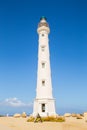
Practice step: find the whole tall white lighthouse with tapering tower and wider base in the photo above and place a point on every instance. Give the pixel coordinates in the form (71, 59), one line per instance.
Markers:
(44, 103)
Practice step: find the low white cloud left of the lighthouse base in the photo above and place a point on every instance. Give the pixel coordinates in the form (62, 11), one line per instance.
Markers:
(14, 102)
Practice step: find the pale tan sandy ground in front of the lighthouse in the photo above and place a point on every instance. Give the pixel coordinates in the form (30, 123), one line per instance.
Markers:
(71, 123)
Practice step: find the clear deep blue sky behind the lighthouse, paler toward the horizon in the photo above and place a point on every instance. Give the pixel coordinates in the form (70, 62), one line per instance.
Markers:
(19, 50)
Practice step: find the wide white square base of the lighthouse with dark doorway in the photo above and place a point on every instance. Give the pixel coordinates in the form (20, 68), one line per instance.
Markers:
(49, 109)
